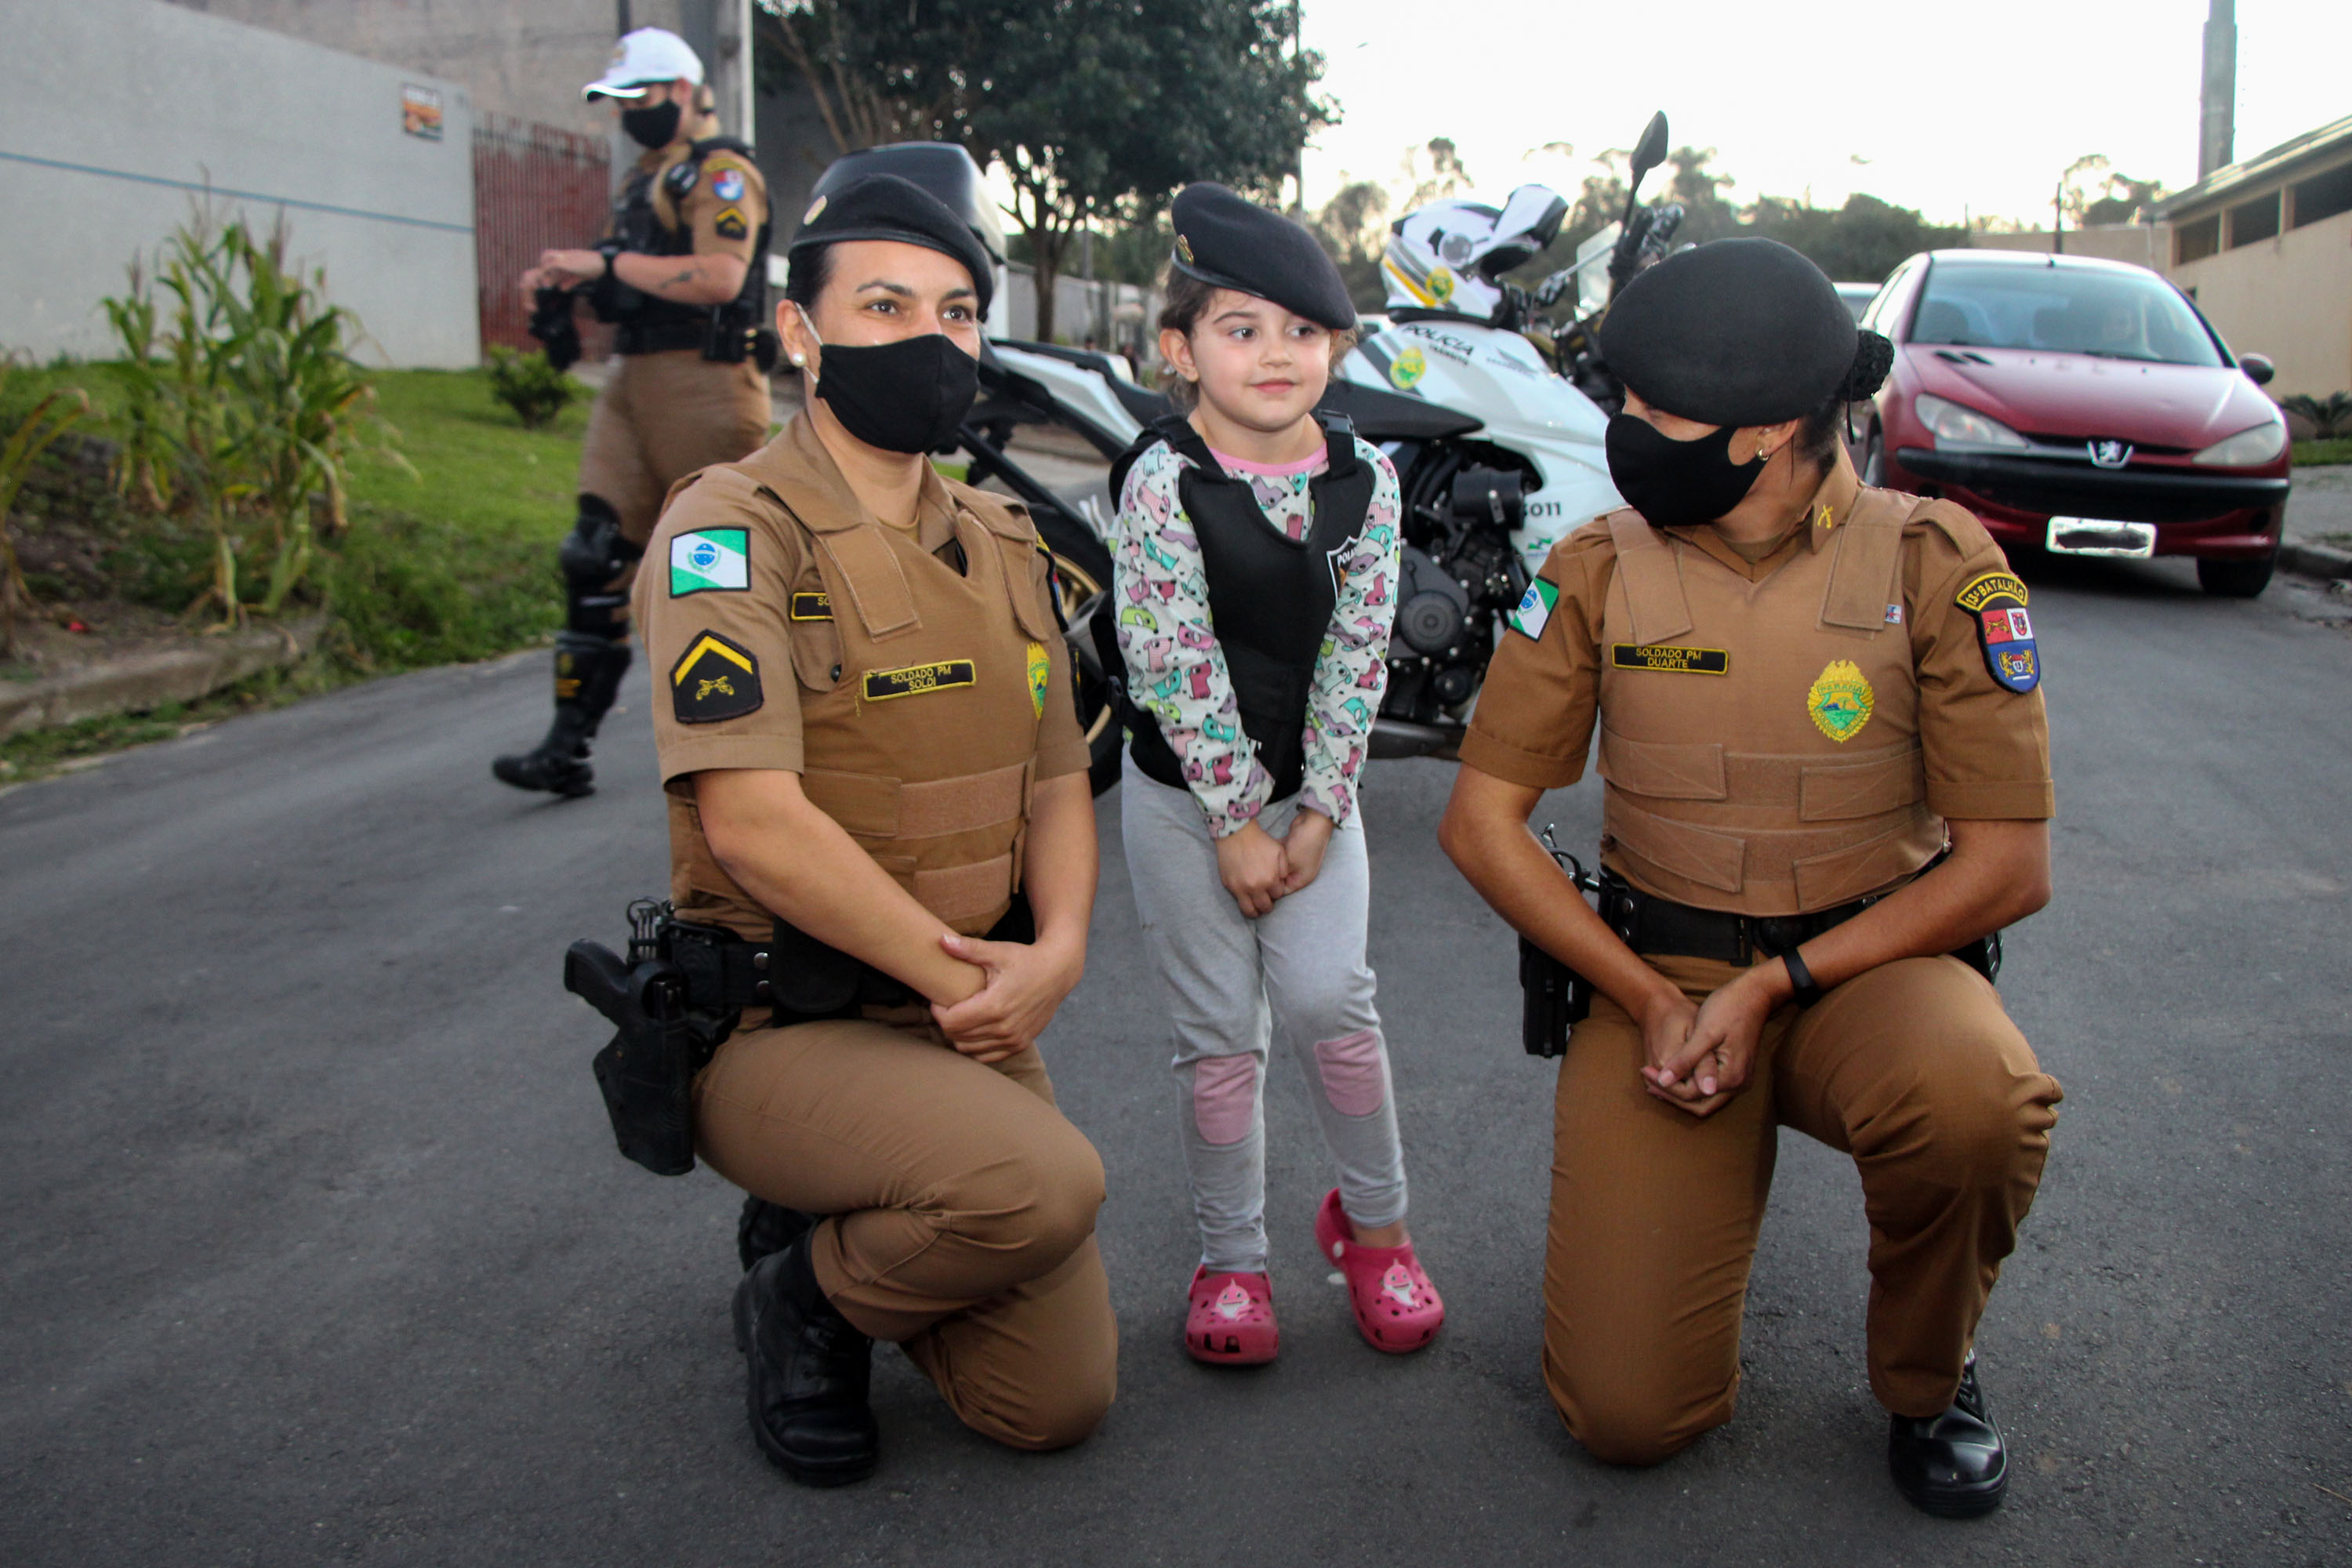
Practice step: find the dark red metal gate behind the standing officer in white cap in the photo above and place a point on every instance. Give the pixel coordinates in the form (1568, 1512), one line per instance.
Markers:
(533, 187)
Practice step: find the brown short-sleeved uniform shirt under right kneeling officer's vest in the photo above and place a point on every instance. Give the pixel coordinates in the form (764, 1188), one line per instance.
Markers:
(1986, 746)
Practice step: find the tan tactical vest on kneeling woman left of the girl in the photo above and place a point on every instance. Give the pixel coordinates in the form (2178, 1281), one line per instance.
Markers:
(921, 697)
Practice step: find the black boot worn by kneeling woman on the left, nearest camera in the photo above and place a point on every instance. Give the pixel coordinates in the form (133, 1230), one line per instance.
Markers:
(808, 1374)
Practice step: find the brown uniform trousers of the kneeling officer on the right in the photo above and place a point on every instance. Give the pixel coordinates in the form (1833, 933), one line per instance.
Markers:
(1911, 1068)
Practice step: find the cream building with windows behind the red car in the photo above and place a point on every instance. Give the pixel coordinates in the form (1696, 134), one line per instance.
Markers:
(2266, 253)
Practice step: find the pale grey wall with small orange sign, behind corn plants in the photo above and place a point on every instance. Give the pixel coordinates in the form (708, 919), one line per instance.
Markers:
(105, 147)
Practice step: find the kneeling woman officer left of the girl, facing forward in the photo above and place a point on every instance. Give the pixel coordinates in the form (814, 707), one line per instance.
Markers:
(867, 730)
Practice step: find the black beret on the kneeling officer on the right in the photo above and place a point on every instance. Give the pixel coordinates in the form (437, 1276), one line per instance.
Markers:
(1737, 333)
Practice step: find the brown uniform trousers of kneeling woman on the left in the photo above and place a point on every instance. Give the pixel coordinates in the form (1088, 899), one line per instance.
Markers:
(965, 1209)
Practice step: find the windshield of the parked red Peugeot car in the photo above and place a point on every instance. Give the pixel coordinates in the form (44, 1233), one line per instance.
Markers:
(2078, 311)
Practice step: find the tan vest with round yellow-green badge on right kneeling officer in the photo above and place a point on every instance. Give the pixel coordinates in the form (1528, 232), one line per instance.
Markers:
(1760, 742)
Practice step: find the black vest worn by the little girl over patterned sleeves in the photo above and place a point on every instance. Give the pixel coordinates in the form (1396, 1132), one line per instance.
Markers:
(1269, 594)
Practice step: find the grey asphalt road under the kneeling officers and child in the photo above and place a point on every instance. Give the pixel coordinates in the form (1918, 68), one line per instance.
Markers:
(319, 1247)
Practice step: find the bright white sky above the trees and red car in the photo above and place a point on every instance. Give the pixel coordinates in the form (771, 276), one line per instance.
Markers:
(1956, 109)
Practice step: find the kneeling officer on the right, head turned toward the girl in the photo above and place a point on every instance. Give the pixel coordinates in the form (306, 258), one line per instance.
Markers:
(1826, 777)
